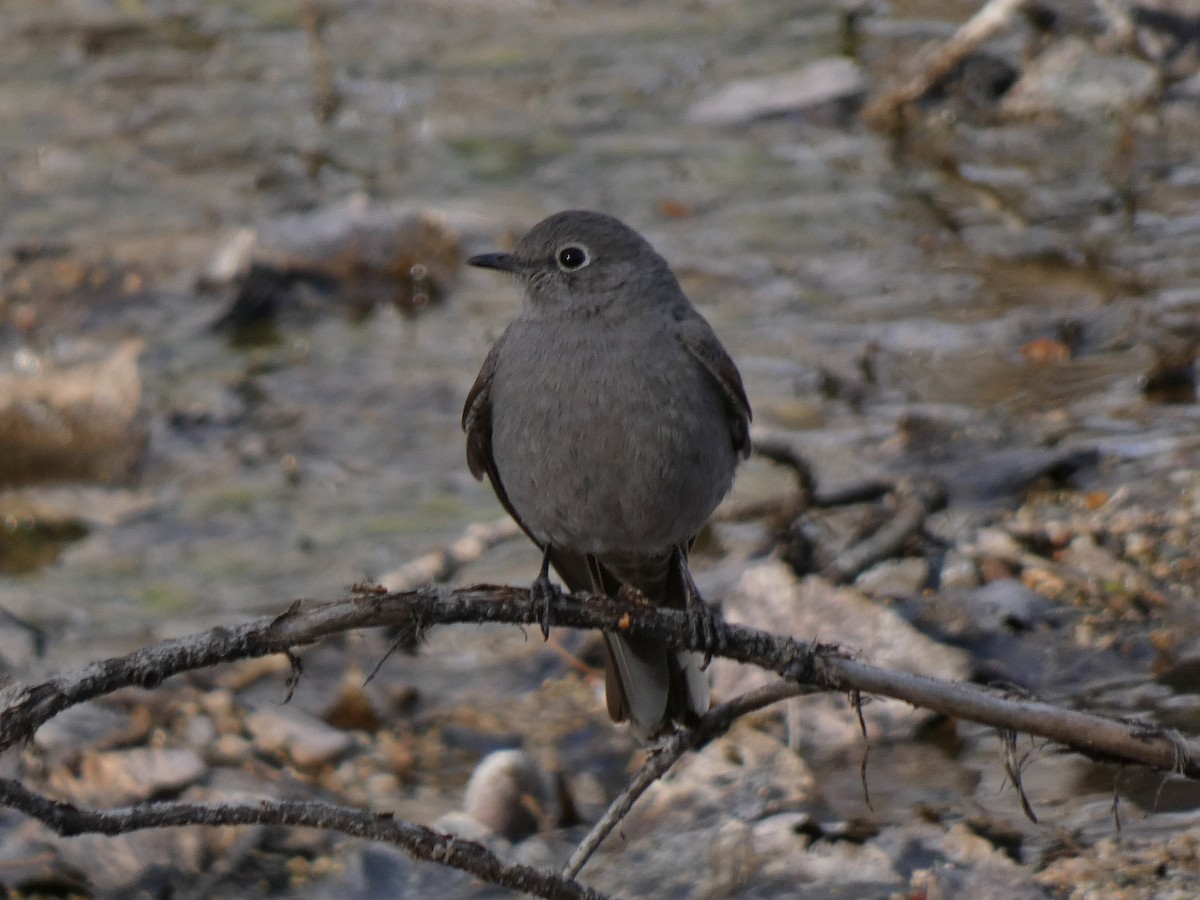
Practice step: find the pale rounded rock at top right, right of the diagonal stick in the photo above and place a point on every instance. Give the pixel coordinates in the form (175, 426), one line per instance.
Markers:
(1075, 81)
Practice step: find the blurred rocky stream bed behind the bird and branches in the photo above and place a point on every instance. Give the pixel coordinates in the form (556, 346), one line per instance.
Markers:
(236, 338)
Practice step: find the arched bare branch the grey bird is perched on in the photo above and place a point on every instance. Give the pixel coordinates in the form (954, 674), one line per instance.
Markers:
(23, 710)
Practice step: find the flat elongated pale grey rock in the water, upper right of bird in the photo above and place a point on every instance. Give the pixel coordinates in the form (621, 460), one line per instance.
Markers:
(821, 82)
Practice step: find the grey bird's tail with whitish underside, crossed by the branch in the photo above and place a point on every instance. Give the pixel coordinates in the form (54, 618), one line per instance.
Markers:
(647, 683)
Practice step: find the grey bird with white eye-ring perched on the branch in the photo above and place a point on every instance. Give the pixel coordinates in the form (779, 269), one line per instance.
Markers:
(610, 421)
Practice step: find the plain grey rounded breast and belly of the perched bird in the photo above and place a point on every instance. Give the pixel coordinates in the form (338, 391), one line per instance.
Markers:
(608, 440)
